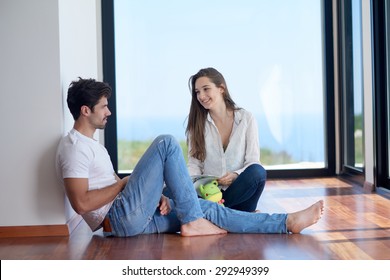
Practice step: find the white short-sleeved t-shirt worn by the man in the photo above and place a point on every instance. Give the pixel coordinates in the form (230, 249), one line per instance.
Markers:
(79, 156)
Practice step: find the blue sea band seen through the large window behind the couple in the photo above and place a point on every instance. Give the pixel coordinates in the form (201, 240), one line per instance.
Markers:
(303, 137)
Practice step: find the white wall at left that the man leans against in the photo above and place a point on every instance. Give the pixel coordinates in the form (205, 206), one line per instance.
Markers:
(44, 44)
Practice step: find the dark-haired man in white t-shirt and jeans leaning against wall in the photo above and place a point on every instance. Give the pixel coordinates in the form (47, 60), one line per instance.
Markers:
(135, 204)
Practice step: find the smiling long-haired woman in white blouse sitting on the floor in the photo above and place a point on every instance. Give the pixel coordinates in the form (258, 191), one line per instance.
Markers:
(223, 141)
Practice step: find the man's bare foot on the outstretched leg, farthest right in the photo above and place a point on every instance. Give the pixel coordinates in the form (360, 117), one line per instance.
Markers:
(300, 220)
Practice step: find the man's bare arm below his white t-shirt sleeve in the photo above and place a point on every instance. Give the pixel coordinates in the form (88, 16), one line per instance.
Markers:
(83, 200)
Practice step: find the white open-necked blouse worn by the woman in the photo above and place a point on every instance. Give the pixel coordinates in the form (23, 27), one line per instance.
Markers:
(243, 148)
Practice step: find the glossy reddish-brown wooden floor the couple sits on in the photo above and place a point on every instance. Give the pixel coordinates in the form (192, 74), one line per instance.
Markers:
(355, 226)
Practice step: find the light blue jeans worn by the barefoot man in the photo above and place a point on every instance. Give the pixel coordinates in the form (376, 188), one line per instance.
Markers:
(135, 211)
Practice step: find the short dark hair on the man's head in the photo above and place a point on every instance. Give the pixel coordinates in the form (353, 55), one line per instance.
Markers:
(86, 92)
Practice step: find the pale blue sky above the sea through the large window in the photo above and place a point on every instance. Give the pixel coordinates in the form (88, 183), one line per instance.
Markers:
(160, 44)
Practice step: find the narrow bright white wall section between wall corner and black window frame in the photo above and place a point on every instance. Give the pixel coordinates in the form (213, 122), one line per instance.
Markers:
(80, 54)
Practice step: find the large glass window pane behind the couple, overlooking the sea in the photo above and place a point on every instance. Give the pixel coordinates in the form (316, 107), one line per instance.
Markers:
(271, 55)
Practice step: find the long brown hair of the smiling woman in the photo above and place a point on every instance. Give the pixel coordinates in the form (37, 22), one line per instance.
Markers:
(198, 114)
